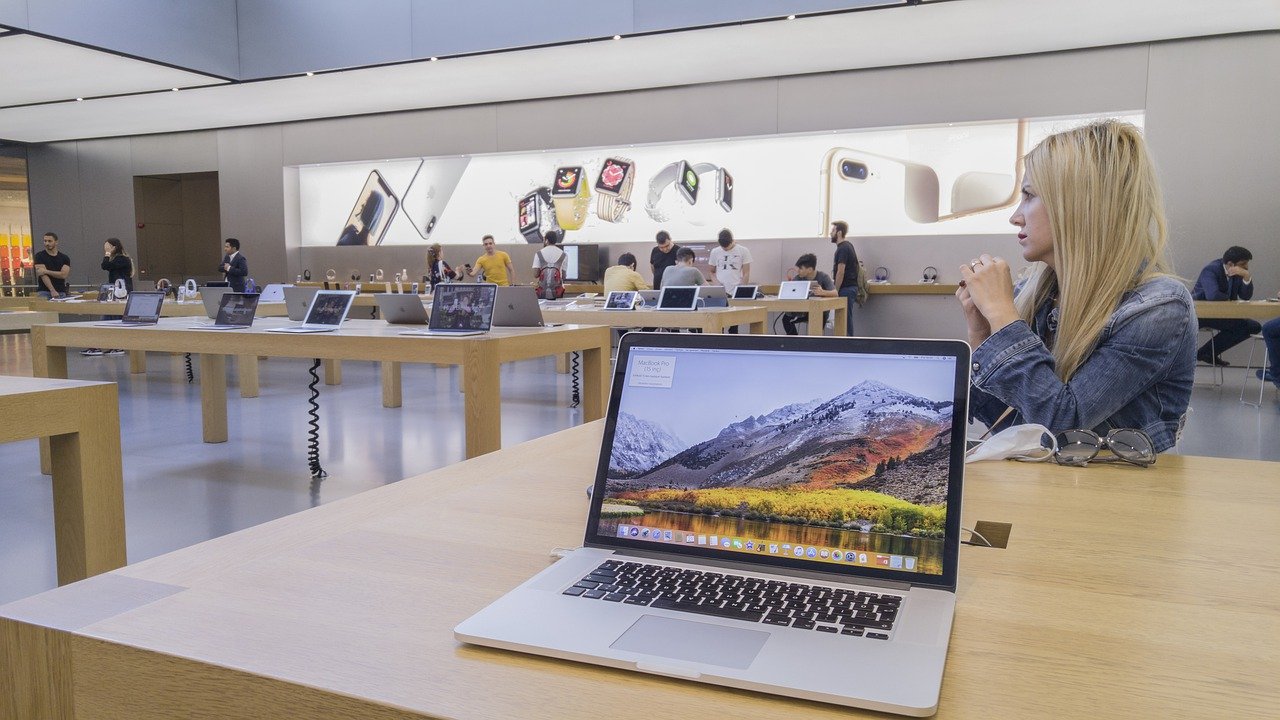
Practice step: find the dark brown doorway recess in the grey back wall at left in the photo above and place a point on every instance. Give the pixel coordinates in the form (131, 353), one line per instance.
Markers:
(180, 227)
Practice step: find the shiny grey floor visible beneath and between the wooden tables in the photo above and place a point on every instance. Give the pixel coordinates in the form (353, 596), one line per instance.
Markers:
(180, 491)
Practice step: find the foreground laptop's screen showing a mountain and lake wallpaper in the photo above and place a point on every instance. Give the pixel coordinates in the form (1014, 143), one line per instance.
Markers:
(840, 457)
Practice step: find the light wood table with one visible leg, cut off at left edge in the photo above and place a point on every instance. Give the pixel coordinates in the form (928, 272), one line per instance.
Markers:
(83, 425)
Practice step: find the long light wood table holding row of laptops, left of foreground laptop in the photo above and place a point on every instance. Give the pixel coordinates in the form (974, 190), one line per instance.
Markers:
(479, 358)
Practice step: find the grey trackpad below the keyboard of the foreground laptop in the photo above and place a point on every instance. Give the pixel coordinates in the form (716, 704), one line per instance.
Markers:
(693, 642)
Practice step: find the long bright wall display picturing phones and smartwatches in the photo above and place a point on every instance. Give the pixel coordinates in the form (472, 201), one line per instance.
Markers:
(932, 180)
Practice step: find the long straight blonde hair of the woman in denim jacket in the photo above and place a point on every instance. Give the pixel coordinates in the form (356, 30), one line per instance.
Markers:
(1108, 218)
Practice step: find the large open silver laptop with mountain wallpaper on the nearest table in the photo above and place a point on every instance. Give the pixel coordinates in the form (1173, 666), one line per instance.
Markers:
(746, 528)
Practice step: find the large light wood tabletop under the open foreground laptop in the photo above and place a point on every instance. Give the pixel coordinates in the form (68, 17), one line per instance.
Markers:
(1124, 593)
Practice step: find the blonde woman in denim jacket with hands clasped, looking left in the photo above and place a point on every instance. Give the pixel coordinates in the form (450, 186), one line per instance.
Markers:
(1101, 336)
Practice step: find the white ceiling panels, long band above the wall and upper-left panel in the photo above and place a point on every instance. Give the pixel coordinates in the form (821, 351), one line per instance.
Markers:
(897, 37)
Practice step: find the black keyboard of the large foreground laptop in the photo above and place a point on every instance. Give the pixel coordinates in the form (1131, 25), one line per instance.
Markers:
(756, 600)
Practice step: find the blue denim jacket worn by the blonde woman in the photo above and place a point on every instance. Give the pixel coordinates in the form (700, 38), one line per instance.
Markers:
(1139, 376)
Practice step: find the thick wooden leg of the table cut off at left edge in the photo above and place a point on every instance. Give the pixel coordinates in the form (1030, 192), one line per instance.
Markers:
(89, 493)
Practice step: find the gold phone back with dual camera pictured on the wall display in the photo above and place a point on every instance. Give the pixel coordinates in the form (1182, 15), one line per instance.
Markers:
(876, 194)
